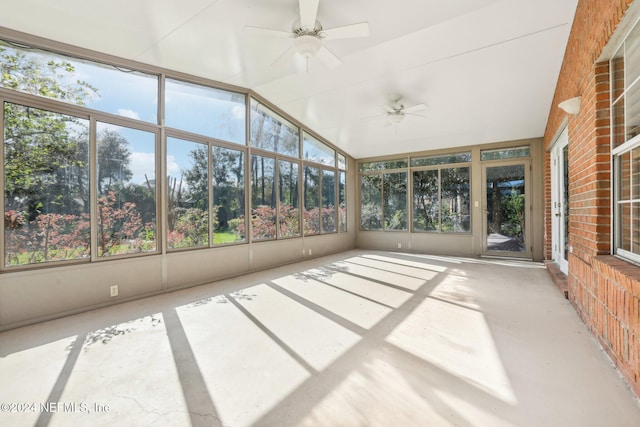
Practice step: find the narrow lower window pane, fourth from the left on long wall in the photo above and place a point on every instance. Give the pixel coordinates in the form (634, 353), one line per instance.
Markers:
(227, 175)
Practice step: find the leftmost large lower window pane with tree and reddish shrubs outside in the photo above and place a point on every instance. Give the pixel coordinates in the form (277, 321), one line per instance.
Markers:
(46, 186)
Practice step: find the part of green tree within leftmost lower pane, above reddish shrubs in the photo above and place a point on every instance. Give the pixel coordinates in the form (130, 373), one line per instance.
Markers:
(46, 164)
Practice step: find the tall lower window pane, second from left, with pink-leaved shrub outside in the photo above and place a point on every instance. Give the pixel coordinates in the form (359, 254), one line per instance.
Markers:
(125, 178)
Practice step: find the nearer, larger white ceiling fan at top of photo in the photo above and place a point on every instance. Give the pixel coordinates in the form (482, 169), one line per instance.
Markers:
(308, 35)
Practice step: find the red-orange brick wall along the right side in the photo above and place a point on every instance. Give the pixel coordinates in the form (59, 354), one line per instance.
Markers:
(603, 289)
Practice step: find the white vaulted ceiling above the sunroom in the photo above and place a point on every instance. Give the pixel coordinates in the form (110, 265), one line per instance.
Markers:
(486, 69)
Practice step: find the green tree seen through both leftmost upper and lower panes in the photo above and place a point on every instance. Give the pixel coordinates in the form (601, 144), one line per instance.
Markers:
(46, 153)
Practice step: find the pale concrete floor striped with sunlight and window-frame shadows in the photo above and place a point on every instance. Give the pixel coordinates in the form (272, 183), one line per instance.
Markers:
(356, 339)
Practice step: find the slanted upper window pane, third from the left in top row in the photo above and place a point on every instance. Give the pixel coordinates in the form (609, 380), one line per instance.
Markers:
(270, 131)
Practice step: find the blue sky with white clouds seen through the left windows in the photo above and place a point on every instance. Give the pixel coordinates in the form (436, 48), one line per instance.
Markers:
(202, 110)
